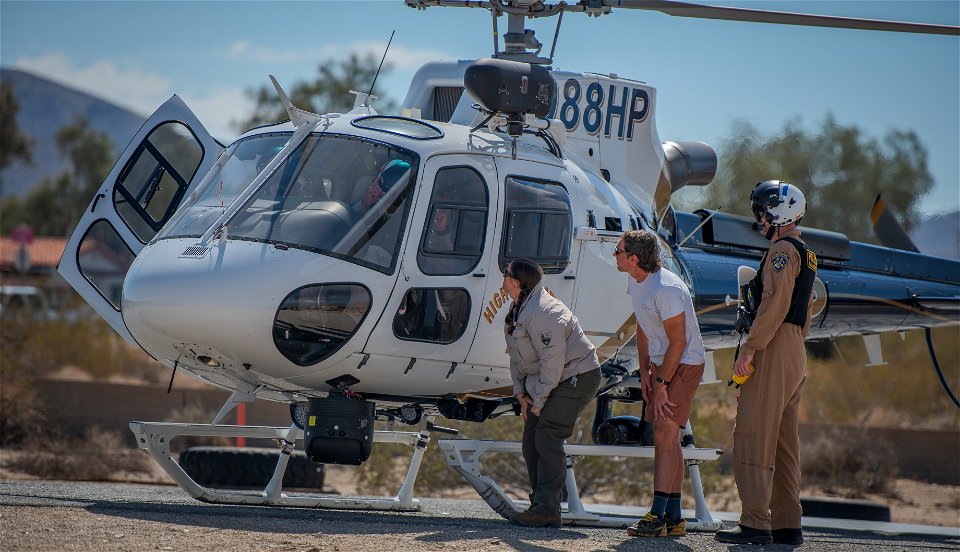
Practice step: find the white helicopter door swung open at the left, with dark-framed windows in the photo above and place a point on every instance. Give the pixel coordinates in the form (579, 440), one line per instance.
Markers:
(160, 166)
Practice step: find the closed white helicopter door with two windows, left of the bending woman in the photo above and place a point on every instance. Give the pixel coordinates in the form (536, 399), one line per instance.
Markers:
(435, 307)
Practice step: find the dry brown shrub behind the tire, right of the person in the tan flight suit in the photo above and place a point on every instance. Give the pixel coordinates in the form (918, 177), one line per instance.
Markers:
(852, 465)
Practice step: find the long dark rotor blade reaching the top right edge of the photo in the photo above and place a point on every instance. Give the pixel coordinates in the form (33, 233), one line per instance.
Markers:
(685, 9)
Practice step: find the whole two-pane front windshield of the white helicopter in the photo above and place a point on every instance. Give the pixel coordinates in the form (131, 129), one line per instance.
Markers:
(319, 199)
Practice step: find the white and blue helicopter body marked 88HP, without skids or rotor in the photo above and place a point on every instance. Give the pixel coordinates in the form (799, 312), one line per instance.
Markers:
(366, 252)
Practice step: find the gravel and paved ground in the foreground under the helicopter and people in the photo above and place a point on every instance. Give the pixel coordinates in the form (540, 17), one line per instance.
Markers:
(61, 516)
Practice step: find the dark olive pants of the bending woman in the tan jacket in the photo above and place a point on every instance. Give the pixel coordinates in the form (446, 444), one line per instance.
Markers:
(543, 438)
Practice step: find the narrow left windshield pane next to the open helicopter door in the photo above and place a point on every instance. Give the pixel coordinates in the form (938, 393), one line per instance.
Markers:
(236, 168)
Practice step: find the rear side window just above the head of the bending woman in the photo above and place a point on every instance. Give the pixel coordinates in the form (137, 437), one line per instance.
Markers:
(538, 224)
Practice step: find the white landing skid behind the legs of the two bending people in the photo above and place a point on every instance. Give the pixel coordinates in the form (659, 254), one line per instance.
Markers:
(463, 455)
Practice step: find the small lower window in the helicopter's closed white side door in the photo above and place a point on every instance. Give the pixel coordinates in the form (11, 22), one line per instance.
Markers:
(430, 314)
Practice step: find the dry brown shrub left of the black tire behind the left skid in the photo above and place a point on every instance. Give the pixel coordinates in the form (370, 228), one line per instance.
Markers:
(97, 456)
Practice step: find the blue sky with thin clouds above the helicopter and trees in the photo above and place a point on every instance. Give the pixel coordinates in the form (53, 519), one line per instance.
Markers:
(707, 73)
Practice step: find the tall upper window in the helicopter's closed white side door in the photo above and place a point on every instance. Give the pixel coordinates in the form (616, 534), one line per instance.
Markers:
(456, 223)
